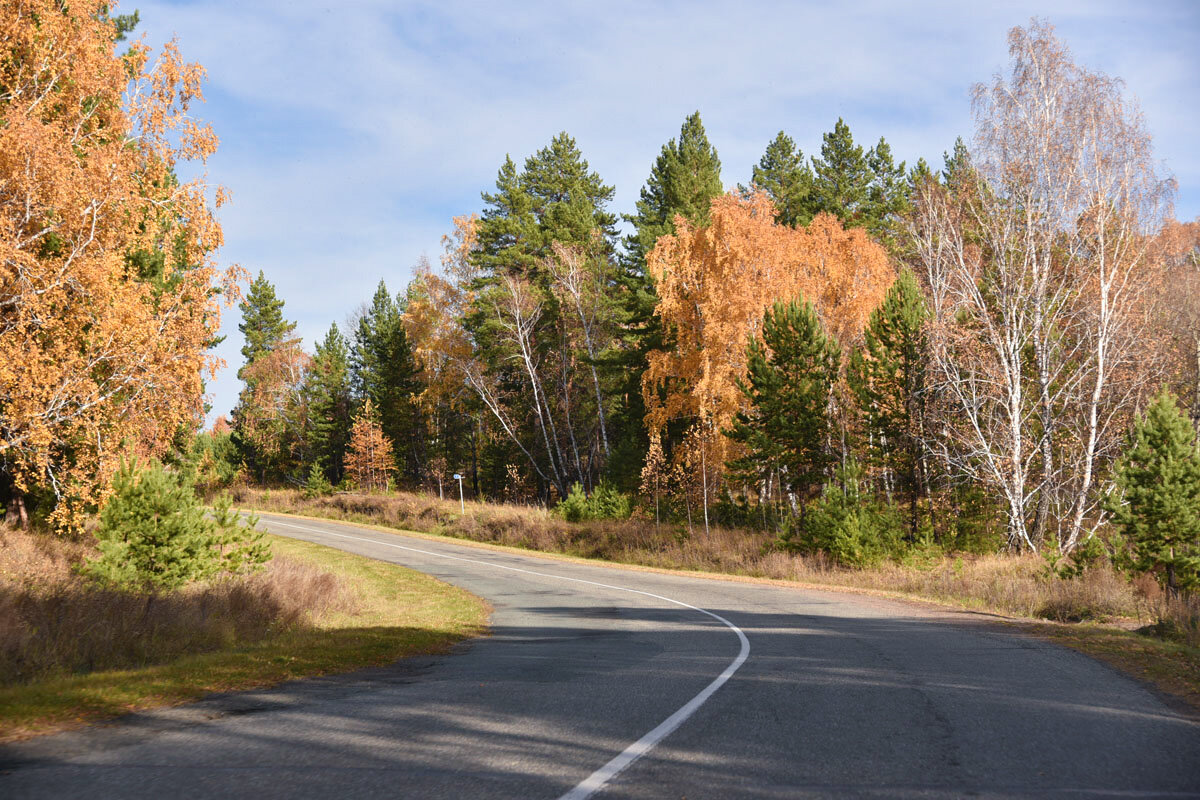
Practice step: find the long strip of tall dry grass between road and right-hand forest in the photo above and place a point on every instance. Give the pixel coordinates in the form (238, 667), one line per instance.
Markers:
(1009, 585)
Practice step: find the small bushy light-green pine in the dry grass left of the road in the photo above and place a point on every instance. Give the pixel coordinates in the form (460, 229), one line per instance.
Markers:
(154, 536)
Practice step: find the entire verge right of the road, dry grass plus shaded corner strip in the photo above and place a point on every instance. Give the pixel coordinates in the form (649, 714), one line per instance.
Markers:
(1013, 587)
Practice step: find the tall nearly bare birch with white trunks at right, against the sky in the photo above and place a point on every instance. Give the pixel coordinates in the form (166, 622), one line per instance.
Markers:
(1036, 262)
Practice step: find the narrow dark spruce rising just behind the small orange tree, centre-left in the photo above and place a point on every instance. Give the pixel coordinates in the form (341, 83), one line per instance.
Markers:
(385, 371)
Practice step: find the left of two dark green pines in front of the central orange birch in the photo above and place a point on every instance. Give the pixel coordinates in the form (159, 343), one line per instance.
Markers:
(790, 377)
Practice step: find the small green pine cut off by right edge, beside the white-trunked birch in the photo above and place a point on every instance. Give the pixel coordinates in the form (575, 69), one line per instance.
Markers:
(1157, 503)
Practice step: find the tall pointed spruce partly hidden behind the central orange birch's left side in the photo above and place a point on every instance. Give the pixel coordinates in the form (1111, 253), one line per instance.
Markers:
(685, 179)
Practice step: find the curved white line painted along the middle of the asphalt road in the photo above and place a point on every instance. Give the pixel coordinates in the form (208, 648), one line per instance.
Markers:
(595, 783)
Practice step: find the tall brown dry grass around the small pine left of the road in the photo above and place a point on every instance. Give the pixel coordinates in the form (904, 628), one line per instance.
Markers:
(53, 623)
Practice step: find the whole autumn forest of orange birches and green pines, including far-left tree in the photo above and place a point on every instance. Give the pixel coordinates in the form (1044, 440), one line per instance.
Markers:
(855, 354)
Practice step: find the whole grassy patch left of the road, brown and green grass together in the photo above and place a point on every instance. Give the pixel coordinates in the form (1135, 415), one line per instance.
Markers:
(74, 652)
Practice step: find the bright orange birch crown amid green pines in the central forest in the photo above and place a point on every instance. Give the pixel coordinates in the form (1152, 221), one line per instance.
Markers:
(715, 285)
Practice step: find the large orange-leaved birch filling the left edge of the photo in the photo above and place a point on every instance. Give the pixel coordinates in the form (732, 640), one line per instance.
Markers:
(109, 288)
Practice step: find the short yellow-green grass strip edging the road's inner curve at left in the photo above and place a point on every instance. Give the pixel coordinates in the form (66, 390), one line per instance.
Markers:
(397, 613)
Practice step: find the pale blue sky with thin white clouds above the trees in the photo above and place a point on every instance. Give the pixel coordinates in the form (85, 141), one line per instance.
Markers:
(351, 133)
